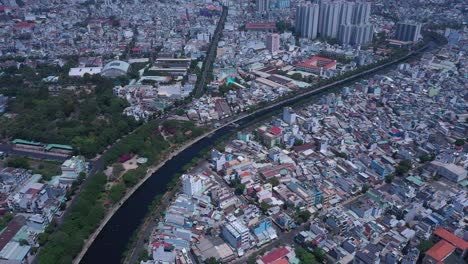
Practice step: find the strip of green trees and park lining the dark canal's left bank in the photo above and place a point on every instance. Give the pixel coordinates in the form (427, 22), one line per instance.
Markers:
(63, 244)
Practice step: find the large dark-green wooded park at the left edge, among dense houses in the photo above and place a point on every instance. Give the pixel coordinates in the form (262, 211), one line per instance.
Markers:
(82, 113)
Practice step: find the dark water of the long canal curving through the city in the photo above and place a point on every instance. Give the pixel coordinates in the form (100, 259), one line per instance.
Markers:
(112, 240)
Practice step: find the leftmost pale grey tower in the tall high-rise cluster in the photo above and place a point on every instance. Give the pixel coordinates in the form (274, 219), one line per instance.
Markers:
(307, 20)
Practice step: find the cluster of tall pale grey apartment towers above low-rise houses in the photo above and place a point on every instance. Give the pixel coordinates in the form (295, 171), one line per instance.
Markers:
(346, 21)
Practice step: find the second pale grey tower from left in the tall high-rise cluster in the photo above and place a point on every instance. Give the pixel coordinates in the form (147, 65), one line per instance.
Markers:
(329, 19)
